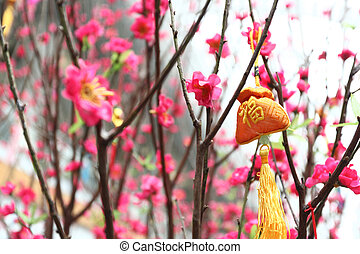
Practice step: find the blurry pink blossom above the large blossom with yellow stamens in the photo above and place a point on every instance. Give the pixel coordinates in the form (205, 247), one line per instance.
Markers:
(91, 30)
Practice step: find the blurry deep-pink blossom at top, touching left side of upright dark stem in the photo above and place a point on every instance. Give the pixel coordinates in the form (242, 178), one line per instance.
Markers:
(144, 28)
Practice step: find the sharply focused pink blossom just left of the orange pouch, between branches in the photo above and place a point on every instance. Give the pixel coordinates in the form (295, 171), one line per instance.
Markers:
(205, 90)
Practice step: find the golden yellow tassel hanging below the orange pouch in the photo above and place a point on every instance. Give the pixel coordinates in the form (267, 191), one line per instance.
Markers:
(271, 217)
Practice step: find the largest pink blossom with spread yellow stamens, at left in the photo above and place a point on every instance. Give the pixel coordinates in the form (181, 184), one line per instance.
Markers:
(89, 93)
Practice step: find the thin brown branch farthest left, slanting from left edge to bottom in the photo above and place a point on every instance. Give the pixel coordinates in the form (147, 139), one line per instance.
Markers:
(20, 109)
